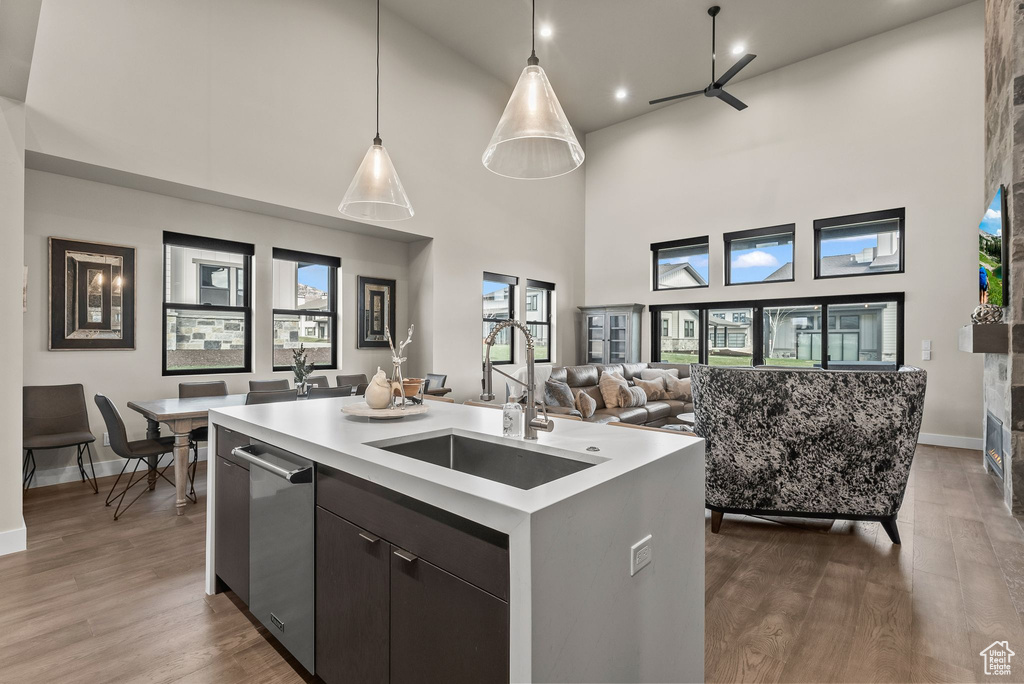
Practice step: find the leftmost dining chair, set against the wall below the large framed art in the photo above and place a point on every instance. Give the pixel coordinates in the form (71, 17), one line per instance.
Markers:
(56, 417)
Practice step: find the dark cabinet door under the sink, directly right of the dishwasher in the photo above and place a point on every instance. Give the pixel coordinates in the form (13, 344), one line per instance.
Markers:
(353, 598)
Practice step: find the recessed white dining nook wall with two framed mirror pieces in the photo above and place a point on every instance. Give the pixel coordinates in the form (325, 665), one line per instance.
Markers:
(64, 207)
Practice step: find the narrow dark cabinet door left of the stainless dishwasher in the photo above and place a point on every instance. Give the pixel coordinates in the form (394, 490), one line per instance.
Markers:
(232, 527)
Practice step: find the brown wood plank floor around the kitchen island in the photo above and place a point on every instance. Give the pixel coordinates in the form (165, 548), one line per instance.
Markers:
(94, 601)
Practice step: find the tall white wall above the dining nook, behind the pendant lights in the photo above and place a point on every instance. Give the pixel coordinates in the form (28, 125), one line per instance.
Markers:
(274, 101)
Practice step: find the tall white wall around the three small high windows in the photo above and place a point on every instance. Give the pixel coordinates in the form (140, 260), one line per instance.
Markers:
(892, 121)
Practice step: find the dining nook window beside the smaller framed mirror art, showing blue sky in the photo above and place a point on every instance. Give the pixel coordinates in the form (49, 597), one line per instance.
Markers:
(306, 309)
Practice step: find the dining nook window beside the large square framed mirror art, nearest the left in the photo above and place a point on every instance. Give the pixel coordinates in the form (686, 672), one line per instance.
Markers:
(207, 306)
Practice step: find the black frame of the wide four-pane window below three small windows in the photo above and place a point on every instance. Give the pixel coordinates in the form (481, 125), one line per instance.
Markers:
(757, 325)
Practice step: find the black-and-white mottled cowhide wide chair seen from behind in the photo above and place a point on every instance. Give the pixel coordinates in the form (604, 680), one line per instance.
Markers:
(822, 444)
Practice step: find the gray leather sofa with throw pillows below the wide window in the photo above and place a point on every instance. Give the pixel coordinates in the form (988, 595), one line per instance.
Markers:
(585, 378)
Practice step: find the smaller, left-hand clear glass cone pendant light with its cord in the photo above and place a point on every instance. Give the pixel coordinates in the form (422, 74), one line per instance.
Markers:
(376, 193)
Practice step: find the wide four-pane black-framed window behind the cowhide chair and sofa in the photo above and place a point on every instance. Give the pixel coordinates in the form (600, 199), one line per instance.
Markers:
(861, 332)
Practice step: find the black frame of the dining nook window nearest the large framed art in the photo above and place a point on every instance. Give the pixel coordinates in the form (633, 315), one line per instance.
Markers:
(245, 250)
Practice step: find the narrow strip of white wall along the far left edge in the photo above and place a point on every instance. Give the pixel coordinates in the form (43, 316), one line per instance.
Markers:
(12, 279)
